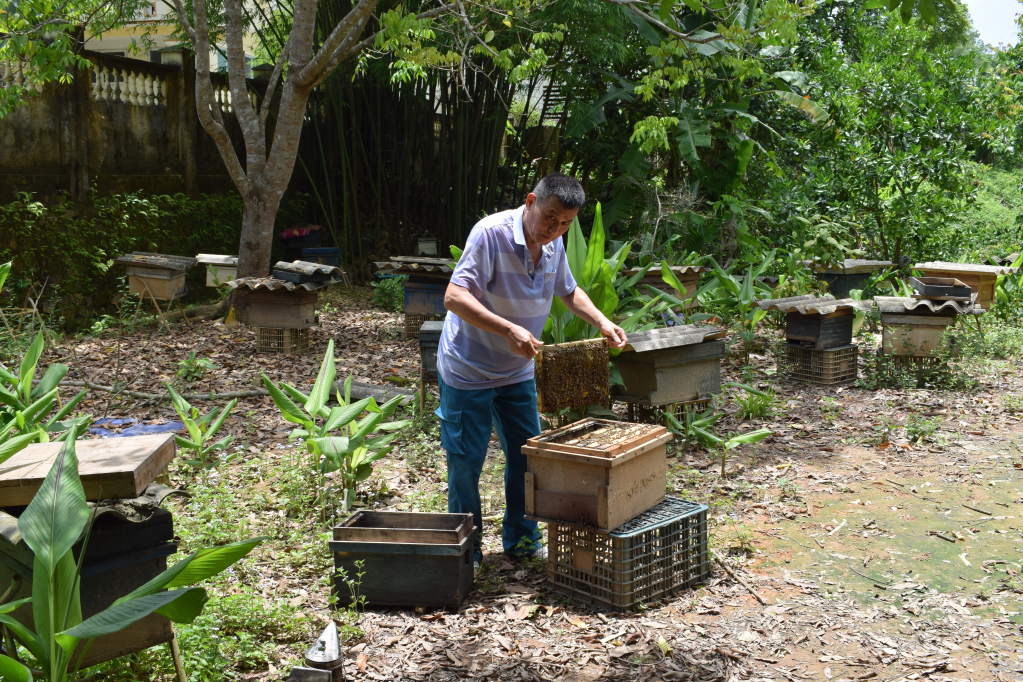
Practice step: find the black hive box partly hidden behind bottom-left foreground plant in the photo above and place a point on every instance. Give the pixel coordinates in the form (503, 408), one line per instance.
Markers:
(121, 557)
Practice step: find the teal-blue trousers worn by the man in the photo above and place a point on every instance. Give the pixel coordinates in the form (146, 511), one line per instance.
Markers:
(466, 425)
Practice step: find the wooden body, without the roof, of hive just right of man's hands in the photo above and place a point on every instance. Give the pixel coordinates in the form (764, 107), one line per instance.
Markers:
(665, 377)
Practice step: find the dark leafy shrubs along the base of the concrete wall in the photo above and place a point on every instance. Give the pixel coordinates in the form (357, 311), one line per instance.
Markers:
(72, 247)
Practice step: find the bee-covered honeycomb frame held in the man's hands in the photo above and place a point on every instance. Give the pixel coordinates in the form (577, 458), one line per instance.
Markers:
(573, 376)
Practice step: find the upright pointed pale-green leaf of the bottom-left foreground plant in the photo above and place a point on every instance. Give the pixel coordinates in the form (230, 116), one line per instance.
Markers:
(54, 521)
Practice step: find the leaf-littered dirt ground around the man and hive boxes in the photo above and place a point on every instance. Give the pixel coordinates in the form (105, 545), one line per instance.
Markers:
(880, 553)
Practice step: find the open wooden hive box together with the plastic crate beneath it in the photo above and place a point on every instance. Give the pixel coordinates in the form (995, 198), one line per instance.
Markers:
(614, 539)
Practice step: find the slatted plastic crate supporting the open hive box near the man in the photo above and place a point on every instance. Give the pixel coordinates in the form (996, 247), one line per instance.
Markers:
(656, 555)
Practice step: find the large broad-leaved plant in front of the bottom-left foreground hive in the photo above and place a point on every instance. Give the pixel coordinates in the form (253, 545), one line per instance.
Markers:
(52, 525)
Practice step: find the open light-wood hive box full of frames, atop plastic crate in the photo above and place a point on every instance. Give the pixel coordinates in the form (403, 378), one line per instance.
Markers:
(597, 473)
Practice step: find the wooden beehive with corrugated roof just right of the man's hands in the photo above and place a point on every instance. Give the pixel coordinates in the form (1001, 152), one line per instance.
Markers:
(670, 367)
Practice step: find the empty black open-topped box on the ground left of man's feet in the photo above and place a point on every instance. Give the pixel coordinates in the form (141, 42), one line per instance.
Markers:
(411, 560)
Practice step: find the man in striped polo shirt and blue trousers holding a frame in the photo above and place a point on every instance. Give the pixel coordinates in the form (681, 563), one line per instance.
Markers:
(499, 301)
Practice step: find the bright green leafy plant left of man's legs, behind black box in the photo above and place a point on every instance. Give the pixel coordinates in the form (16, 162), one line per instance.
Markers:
(351, 454)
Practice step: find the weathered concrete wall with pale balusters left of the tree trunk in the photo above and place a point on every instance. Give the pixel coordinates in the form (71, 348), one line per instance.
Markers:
(104, 131)
